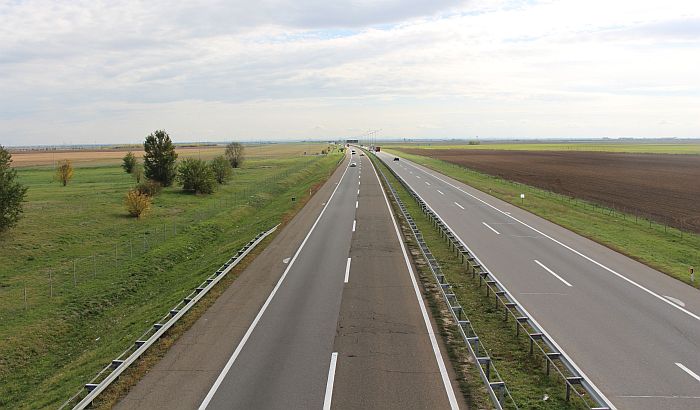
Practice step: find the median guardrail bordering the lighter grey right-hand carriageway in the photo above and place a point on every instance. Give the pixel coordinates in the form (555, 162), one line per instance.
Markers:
(538, 339)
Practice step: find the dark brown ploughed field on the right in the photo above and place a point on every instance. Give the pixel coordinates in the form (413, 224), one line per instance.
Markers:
(662, 187)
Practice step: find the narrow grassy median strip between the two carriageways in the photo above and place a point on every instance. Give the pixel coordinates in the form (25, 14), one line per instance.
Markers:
(523, 373)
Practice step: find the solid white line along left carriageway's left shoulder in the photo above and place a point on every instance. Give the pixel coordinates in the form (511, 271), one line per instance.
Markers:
(252, 326)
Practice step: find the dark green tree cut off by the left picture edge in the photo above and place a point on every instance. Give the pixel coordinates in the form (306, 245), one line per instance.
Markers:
(12, 193)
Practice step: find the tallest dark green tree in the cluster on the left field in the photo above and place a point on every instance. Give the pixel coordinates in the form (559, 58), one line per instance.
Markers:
(159, 160)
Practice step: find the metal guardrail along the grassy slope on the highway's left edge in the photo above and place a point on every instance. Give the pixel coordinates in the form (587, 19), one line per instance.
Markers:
(111, 372)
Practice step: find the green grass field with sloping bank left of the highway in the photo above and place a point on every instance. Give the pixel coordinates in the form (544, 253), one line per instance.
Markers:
(78, 317)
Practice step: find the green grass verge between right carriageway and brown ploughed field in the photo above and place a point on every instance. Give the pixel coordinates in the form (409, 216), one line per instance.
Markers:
(665, 249)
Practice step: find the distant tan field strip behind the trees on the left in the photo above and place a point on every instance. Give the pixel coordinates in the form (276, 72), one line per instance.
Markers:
(81, 158)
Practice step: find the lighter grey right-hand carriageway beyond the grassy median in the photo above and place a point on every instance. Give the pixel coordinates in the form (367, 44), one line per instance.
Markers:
(633, 331)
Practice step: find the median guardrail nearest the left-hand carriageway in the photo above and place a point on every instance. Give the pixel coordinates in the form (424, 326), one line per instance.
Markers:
(493, 382)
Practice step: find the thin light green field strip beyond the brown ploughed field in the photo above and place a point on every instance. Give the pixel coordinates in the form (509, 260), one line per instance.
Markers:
(636, 147)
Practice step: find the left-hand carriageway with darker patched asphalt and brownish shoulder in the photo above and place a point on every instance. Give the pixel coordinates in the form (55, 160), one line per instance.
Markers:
(336, 320)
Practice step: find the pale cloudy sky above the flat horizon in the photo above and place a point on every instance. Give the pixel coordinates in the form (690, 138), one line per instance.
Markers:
(83, 72)
